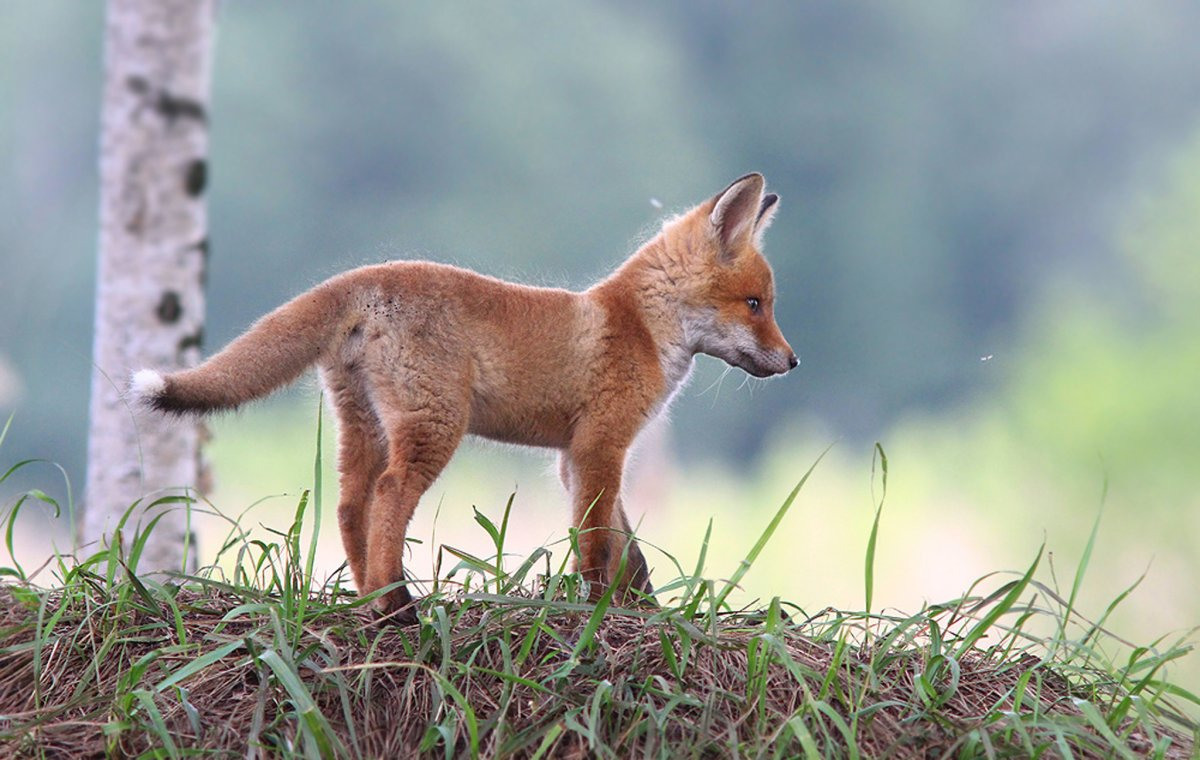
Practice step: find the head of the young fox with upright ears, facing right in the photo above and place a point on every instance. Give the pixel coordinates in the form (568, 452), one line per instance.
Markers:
(729, 301)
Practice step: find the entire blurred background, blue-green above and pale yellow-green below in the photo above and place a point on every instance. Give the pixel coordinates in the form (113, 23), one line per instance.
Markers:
(986, 259)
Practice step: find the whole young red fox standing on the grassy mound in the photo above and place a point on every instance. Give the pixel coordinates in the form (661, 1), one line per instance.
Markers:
(415, 356)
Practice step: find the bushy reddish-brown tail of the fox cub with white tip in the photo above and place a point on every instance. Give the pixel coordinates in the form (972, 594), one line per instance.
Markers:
(272, 354)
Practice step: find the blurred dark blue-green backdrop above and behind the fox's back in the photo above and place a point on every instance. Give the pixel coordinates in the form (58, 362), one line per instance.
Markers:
(943, 166)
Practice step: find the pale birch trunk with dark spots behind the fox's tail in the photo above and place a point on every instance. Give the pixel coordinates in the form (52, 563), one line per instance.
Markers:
(153, 252)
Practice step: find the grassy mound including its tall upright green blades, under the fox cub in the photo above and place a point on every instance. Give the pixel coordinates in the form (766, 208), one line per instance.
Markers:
(266, 660)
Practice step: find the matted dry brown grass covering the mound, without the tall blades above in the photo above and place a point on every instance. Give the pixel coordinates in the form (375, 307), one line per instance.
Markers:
(509, 679)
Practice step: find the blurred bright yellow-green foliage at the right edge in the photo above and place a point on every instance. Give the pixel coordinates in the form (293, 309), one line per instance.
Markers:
(1117, 376)
